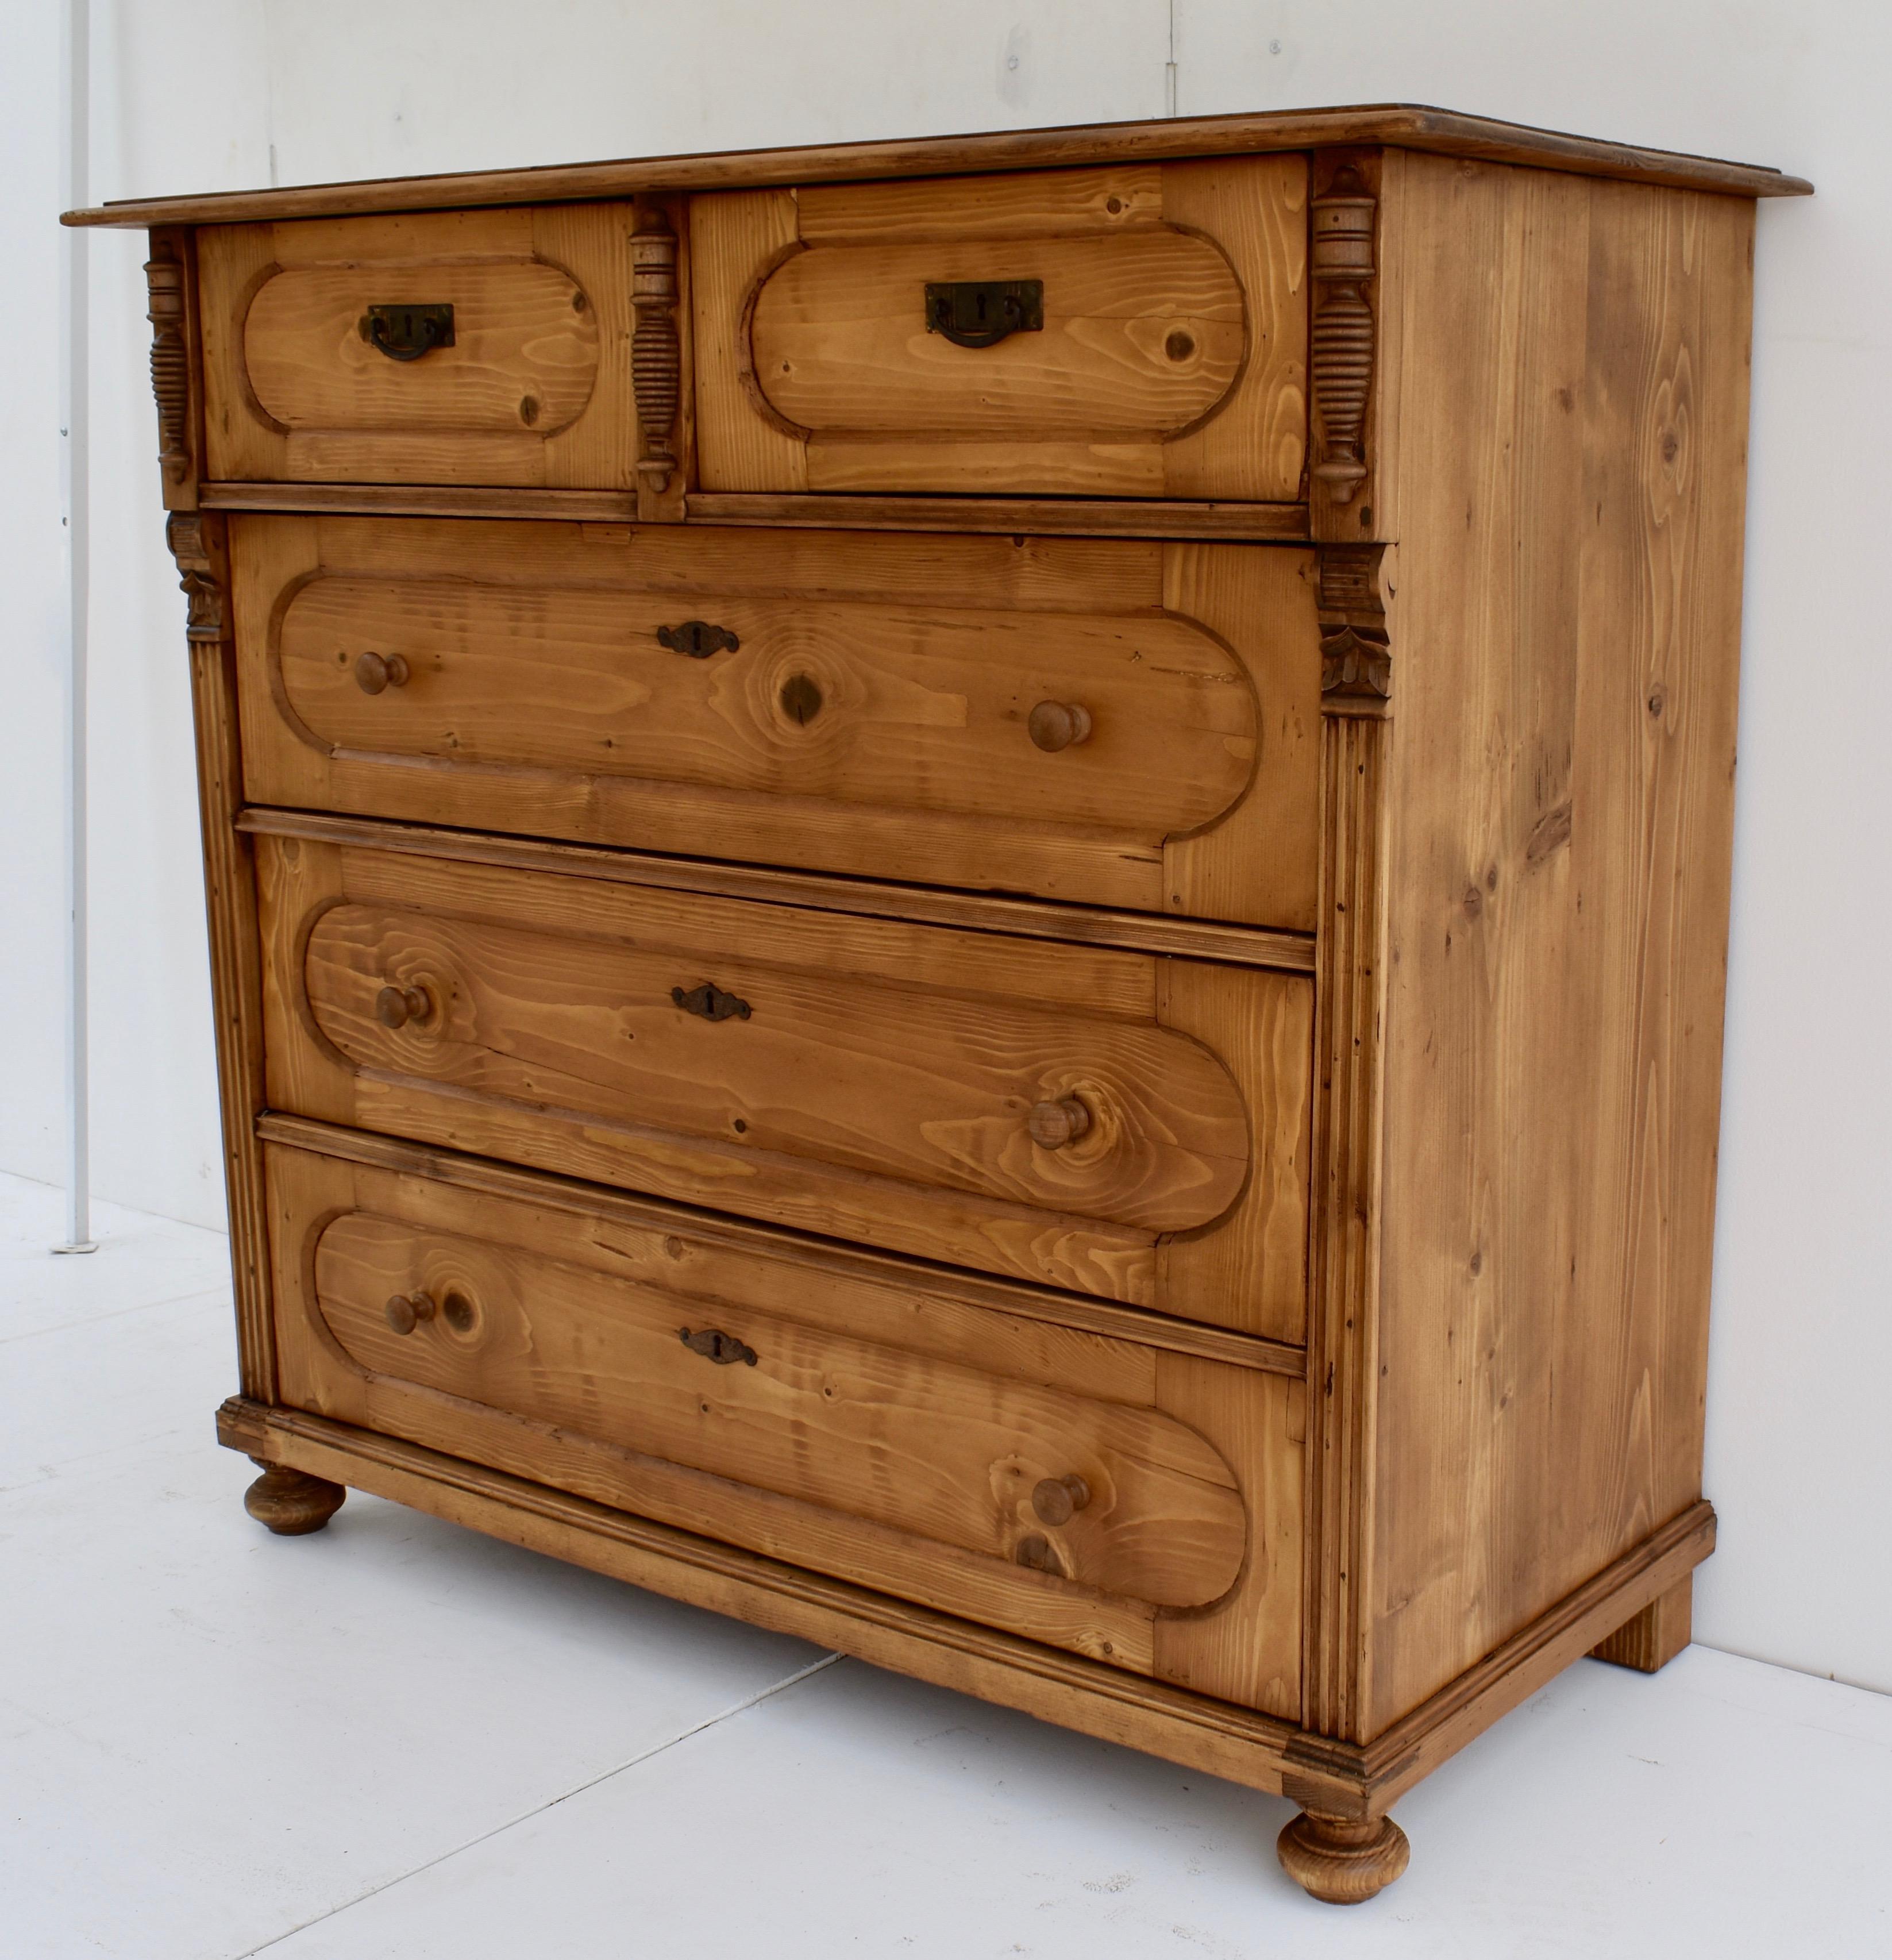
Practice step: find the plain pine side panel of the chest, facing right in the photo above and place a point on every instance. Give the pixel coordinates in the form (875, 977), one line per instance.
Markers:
(1573, 411)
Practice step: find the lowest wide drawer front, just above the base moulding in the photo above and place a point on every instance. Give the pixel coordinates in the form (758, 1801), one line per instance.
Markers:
(834, 1410)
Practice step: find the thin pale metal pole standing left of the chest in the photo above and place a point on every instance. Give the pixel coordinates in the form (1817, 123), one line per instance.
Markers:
(74, 456)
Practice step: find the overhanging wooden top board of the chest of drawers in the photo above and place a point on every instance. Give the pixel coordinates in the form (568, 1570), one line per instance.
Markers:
(1403, 126)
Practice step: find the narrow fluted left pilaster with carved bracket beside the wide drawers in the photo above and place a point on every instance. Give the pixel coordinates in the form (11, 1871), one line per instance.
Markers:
(230, 901)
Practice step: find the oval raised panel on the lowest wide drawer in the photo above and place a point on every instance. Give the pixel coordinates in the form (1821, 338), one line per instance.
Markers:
(909, 1442)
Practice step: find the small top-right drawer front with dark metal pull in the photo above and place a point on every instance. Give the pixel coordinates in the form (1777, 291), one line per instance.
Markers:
(1132, 332)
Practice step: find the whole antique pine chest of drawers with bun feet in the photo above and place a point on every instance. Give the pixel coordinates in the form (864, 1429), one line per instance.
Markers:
(971, 897)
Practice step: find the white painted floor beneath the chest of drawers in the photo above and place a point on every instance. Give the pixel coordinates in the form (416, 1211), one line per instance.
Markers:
(399, 1741)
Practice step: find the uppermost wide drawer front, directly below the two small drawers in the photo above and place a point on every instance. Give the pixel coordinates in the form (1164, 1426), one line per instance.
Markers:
(1111, 722)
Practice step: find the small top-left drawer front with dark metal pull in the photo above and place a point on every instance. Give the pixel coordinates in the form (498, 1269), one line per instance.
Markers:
(321, 371)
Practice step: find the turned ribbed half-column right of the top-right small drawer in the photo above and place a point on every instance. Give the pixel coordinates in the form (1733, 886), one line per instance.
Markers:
(1342, 336)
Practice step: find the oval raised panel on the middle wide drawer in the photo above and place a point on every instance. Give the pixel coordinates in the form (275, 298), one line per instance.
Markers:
(899, 1081)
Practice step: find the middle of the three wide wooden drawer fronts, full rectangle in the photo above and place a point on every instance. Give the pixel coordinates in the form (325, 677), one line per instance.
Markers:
(1107, 1122)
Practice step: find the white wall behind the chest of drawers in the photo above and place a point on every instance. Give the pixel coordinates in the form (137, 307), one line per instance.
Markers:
(201, 95)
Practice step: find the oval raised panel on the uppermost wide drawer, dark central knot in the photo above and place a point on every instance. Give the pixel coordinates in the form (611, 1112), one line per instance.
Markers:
(856, 703)
